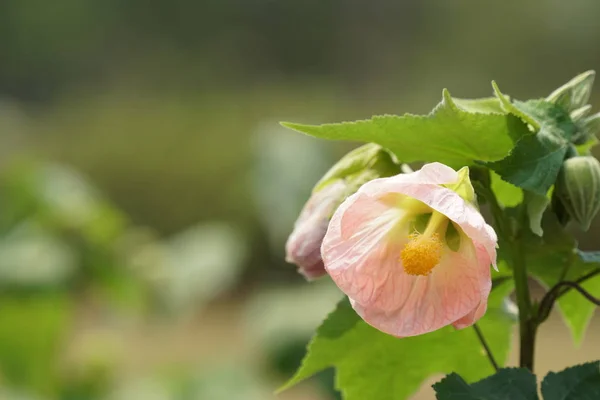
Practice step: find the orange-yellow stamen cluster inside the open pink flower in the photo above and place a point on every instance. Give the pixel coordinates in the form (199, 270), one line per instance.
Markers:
(421, 254)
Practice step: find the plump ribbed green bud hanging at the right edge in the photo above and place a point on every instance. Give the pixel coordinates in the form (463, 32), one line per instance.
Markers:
(578, 188)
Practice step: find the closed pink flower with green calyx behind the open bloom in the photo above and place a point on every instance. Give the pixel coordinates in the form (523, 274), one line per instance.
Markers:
(362, 165)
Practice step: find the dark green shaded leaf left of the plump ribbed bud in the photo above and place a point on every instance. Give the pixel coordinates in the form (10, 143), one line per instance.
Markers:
(534, 162)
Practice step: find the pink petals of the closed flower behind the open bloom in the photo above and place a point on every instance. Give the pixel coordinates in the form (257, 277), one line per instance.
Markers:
(303, 247)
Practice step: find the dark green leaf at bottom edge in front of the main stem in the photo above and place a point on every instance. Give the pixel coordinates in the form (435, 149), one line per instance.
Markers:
(508, 383)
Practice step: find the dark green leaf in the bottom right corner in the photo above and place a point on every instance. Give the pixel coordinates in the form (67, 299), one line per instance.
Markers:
(581, 382)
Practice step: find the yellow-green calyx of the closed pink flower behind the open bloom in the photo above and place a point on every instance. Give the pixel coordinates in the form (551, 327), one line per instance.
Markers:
(360, 166)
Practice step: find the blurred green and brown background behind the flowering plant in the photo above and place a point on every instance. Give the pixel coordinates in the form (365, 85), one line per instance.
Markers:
(146, 189)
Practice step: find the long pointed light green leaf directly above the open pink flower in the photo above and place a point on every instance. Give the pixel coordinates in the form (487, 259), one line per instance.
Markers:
(453, 133)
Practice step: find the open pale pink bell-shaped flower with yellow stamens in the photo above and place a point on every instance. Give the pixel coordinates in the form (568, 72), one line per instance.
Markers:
(411, 254)
